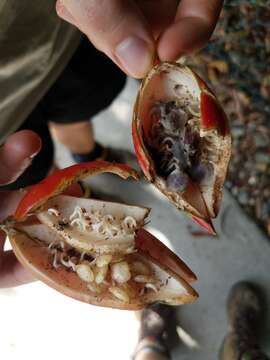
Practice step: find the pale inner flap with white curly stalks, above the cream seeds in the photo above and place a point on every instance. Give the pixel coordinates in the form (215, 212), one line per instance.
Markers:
(93, 225)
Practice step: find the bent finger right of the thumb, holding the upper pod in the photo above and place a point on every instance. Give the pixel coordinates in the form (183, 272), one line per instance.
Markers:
(194, 23)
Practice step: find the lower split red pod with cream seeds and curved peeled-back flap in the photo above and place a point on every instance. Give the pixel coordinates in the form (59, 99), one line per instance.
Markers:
(92, 250)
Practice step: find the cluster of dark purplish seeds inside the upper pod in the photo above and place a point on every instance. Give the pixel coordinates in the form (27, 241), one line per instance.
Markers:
(176, 143)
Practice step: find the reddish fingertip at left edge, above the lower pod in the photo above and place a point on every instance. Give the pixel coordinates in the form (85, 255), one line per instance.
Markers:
(17, 154)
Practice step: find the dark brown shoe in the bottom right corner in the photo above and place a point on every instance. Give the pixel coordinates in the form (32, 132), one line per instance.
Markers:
(244, 311)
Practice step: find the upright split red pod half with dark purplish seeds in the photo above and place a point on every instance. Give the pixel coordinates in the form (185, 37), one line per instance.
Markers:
(182, 140)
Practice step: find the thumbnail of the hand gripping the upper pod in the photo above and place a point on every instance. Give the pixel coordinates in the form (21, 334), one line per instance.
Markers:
(135, 56)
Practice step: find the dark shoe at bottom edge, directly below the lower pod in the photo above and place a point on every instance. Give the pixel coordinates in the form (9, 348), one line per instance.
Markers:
(157, 330)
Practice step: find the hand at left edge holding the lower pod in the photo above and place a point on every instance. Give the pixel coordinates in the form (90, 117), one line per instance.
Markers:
(15, 156)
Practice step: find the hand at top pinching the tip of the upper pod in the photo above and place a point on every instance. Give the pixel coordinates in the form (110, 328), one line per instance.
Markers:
(133, 32)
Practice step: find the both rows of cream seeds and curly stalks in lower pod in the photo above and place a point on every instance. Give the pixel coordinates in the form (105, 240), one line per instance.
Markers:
(121, 275)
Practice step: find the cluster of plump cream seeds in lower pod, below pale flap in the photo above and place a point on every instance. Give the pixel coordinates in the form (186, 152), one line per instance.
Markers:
(124, 279)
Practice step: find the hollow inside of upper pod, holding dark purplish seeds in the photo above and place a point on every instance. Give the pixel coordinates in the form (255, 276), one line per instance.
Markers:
(169, 110)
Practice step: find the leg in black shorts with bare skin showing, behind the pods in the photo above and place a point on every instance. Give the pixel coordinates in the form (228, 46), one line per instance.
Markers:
(88, 85)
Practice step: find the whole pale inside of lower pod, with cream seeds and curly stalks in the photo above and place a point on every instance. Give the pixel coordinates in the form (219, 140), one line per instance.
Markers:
(95, 240)
